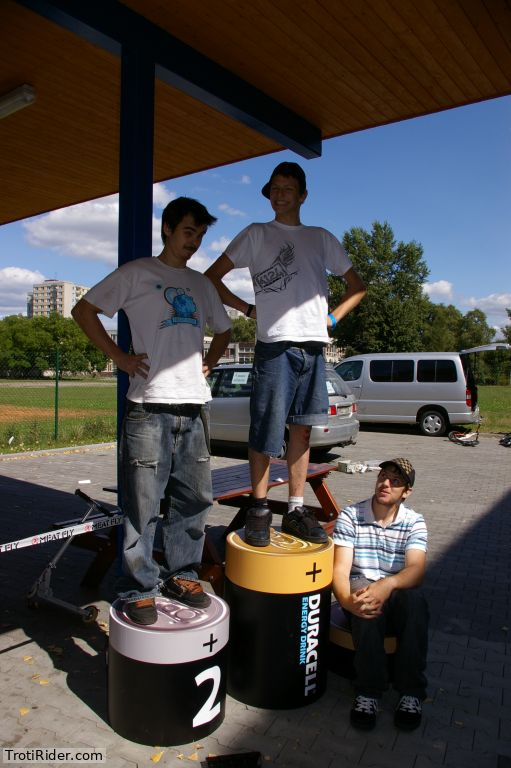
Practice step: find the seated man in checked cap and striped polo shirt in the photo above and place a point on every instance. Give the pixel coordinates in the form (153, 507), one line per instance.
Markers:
(380, 559)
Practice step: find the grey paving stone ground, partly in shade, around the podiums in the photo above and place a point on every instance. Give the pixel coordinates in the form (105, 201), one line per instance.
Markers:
(52, 666)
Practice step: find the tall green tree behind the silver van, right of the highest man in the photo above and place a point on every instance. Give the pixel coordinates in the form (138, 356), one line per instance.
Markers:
(391, 316)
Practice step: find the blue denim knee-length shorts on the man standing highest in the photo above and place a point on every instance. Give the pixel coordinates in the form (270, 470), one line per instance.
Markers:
(289, 387)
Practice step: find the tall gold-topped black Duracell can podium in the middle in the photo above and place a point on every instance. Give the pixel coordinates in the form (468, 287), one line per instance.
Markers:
(279, 598)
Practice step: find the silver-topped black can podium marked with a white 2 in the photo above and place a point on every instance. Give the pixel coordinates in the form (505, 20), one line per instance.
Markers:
(167, 681)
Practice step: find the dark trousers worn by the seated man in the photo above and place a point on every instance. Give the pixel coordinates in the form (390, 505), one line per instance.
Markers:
(406, 615)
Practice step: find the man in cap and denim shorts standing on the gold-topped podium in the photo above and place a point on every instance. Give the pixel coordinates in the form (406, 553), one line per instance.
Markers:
(288, 263)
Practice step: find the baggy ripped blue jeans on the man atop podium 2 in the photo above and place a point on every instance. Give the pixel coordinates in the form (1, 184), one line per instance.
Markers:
(164, 455)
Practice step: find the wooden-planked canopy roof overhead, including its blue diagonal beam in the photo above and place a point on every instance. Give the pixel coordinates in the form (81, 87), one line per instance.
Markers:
(253, 77)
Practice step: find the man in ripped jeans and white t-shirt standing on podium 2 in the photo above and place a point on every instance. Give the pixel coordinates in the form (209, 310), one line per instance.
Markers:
(164, 450)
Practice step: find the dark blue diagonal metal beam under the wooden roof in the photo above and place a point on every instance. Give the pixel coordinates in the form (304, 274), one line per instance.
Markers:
(110, 25)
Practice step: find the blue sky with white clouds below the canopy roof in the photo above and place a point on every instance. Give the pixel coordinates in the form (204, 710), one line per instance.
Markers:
(442, 180)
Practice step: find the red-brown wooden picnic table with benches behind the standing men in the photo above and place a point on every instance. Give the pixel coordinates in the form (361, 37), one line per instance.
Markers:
(231, 487)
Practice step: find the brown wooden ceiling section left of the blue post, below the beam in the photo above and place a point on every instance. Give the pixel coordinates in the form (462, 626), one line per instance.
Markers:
(54, 150)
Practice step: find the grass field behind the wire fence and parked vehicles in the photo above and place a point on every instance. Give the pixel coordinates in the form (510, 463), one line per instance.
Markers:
(87, 413)
